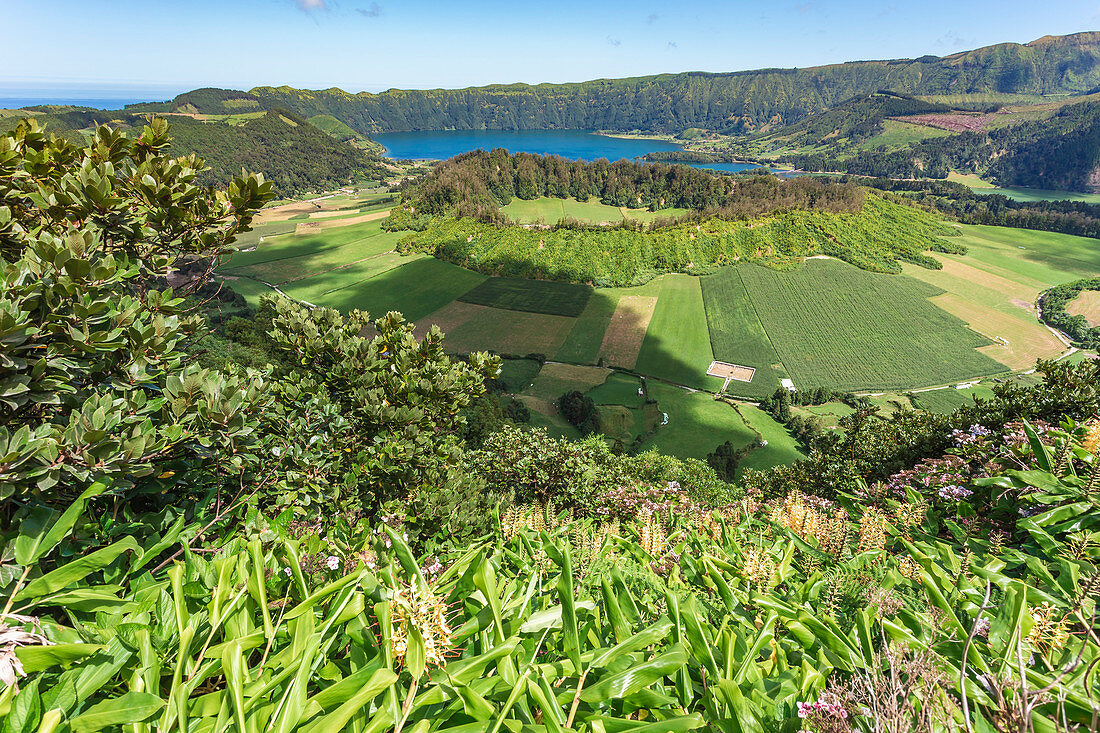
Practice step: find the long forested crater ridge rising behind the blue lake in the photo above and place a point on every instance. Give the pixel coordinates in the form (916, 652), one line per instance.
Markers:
(732, 103)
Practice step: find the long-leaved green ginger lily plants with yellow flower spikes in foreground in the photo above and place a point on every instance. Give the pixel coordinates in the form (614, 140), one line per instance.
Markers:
(865, 614)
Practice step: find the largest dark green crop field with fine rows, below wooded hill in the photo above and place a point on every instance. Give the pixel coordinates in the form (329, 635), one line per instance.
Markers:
(870, 331)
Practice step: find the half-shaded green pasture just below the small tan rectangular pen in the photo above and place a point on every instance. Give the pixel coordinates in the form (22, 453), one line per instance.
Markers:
(698, 423)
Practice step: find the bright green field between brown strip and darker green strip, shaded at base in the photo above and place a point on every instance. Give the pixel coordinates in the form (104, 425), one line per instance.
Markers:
(678, 345)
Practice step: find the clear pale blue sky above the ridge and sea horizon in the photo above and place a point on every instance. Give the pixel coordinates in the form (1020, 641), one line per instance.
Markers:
(377, 45)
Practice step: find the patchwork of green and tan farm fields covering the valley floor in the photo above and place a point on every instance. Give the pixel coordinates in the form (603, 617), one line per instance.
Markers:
(823, 324)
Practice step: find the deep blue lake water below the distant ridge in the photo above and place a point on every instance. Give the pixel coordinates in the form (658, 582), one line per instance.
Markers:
(575, 145)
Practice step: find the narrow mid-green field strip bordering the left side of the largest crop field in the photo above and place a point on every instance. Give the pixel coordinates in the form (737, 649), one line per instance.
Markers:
(738, 335)
